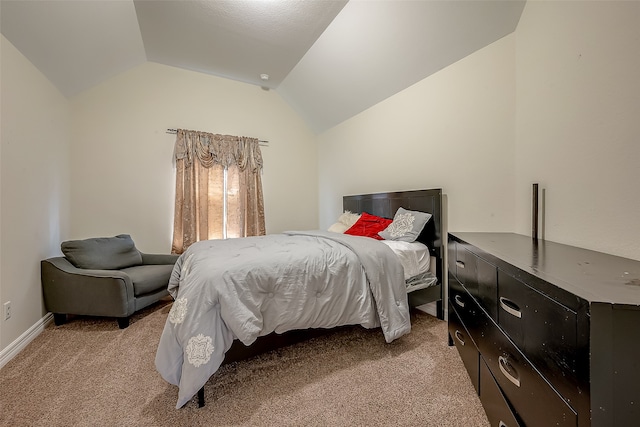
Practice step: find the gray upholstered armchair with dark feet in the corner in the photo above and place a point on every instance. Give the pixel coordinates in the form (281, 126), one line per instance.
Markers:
(105, 276)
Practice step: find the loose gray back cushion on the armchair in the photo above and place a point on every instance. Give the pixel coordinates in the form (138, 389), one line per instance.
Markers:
(102, 253)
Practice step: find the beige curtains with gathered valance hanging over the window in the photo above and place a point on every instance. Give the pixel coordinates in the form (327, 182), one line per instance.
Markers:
(201, 160)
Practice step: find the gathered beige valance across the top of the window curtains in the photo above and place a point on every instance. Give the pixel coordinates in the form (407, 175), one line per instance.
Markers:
(225, 150)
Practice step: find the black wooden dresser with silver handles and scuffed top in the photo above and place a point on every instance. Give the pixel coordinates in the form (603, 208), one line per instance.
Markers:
(549, 333)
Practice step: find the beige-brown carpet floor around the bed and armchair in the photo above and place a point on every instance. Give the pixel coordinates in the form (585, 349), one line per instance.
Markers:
(90, 373)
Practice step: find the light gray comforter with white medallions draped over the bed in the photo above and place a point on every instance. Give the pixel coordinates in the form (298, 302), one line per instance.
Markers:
(249, 287)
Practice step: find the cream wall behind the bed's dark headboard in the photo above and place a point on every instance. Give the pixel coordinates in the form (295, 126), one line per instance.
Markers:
(453, 130)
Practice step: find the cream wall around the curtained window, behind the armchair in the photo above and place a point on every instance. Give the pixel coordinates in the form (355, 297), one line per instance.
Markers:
(123, 178)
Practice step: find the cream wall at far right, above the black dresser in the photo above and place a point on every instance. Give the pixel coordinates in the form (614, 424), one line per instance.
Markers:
(578, 122)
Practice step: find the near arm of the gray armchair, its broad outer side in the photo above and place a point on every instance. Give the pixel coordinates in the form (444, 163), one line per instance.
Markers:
(71, 290)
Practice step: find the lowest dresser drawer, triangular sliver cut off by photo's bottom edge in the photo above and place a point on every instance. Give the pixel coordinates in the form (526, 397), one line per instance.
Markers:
(493, 401)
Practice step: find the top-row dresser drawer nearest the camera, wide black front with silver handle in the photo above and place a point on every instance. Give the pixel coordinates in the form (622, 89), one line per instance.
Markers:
(543, 329)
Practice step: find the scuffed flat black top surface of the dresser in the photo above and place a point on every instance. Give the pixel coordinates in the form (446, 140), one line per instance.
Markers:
(593, 276)
